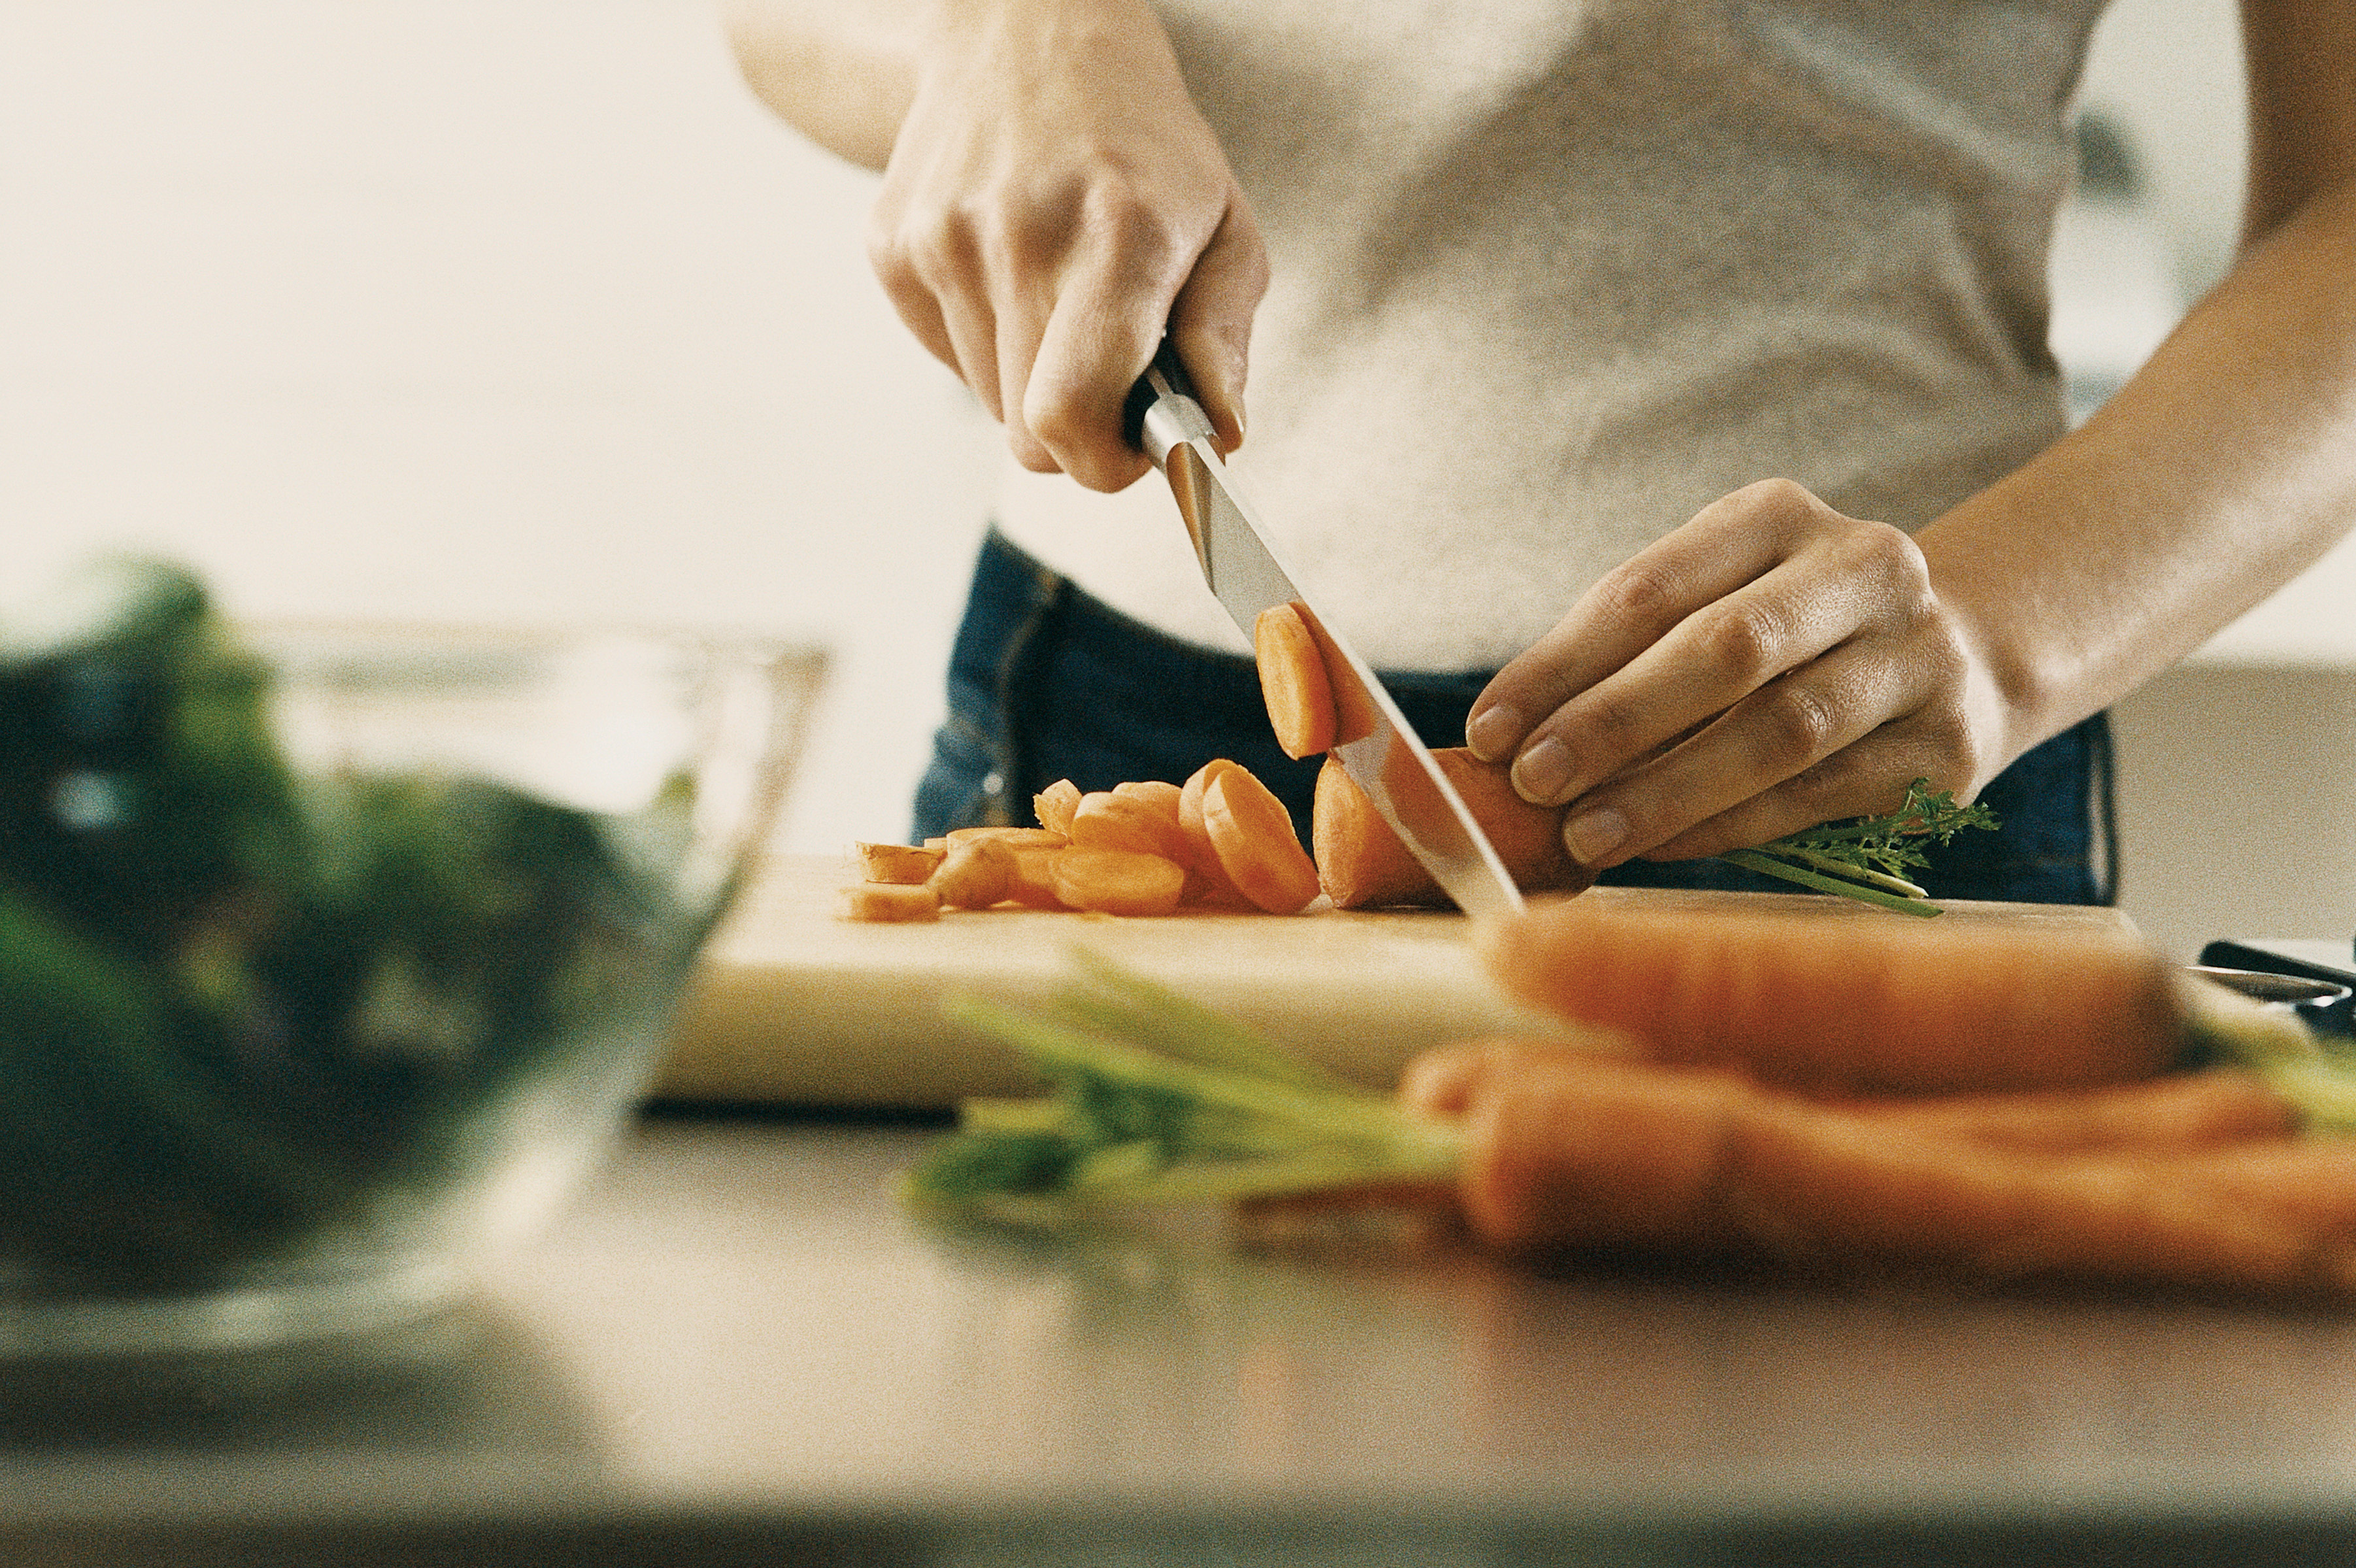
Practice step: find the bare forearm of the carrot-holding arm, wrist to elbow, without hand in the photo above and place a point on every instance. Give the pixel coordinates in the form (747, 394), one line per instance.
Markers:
(2221, 472)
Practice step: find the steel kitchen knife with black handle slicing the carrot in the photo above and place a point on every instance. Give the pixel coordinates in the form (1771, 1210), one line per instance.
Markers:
(1379, 752)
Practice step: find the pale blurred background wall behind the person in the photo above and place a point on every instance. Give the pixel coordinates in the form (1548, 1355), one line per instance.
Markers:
(524, 310)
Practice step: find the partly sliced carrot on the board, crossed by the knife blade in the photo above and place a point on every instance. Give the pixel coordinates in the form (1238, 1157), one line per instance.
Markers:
(1363, 863)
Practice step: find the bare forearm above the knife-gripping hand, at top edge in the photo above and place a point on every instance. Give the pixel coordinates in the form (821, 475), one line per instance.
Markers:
(840, 72)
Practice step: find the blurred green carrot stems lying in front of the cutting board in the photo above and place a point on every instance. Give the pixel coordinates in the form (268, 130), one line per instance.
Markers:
(1158, 1101)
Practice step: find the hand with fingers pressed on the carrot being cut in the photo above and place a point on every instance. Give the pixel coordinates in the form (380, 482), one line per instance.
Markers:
(1766, 667)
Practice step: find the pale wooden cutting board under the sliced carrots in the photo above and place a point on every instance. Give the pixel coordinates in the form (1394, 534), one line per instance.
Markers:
(800, 1006)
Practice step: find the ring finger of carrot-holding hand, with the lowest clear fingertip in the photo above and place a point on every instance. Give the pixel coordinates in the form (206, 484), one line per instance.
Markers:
(1747, 766)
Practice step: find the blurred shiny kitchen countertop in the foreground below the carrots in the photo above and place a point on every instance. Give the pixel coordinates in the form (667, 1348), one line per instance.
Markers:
(741, 1350)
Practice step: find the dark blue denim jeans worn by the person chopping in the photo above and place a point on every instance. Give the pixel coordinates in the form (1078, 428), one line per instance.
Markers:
(1052, 684)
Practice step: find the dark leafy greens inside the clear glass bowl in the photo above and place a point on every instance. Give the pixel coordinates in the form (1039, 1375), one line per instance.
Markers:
(244, 1011)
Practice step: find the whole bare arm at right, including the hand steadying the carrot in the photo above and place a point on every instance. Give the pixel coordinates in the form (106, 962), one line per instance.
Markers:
(1778, 665)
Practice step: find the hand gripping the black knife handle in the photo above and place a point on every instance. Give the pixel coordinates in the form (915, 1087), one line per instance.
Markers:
(1052, 204)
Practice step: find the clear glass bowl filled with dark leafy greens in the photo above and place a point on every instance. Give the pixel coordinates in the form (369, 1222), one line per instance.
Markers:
(333, 957)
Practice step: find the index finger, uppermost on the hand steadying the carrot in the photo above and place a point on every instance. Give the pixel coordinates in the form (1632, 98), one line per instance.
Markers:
(1728, 545)
